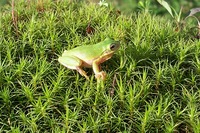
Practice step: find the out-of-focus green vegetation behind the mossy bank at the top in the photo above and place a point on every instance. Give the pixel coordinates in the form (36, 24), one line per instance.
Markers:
(128, 6)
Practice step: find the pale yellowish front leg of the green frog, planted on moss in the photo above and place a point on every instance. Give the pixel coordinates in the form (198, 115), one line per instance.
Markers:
(98, 74)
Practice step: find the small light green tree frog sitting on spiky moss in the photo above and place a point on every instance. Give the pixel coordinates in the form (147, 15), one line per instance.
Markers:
(90, 56)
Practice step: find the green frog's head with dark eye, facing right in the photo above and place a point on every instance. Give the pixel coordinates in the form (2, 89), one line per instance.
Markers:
(111, 45)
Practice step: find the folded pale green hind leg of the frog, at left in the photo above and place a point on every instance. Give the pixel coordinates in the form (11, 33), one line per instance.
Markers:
(73, 62)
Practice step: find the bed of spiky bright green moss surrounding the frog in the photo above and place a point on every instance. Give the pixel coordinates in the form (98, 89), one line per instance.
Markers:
(152, 84)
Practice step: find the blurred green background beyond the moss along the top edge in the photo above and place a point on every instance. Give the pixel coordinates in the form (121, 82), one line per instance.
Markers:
(132, 5)
